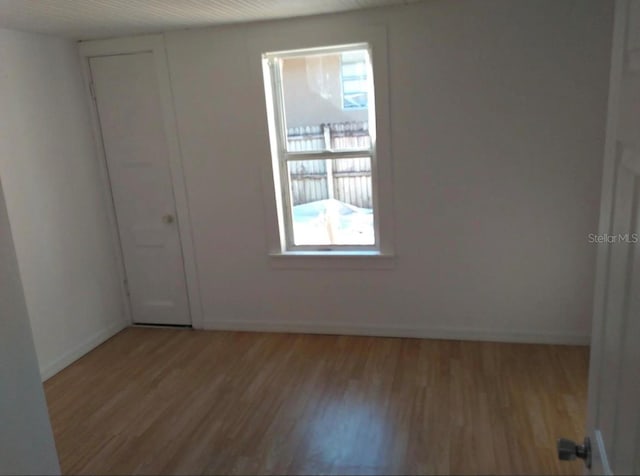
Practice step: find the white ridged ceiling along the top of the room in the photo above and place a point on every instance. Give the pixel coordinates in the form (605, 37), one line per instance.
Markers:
(91, 19)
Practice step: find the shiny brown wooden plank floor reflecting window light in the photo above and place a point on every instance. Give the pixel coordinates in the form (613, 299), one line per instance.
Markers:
(155, 401)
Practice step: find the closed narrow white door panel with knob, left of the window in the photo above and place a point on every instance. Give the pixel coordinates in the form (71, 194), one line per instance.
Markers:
(133, 132)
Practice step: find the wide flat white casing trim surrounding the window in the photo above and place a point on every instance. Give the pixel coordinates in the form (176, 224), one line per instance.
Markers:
(289, 37)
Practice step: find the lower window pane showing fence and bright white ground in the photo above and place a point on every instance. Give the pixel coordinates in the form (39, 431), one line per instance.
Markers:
(331, 201)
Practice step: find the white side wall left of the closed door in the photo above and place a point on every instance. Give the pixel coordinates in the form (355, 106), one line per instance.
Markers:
(56, 207)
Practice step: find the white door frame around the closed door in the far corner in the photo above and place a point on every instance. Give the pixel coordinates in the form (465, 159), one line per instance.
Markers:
(147, 44)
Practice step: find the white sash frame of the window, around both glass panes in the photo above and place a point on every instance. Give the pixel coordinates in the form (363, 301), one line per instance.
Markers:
(272, 69)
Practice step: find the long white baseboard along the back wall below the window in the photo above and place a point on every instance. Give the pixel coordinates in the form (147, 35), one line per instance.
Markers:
(398, 331)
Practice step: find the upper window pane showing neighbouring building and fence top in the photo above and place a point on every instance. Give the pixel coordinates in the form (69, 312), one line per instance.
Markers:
(323, 95)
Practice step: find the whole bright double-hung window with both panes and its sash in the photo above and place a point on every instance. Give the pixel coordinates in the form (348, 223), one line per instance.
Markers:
(323, 148)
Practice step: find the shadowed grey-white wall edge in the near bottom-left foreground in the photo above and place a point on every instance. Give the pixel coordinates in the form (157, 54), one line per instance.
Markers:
(26, 439)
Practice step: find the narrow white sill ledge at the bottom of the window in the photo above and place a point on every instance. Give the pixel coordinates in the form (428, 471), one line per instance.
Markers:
(332, 260)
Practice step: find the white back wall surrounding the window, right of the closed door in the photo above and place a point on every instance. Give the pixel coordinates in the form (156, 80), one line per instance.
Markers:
(497, 126)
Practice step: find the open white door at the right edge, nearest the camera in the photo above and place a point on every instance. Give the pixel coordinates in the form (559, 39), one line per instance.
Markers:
(613, 422)
